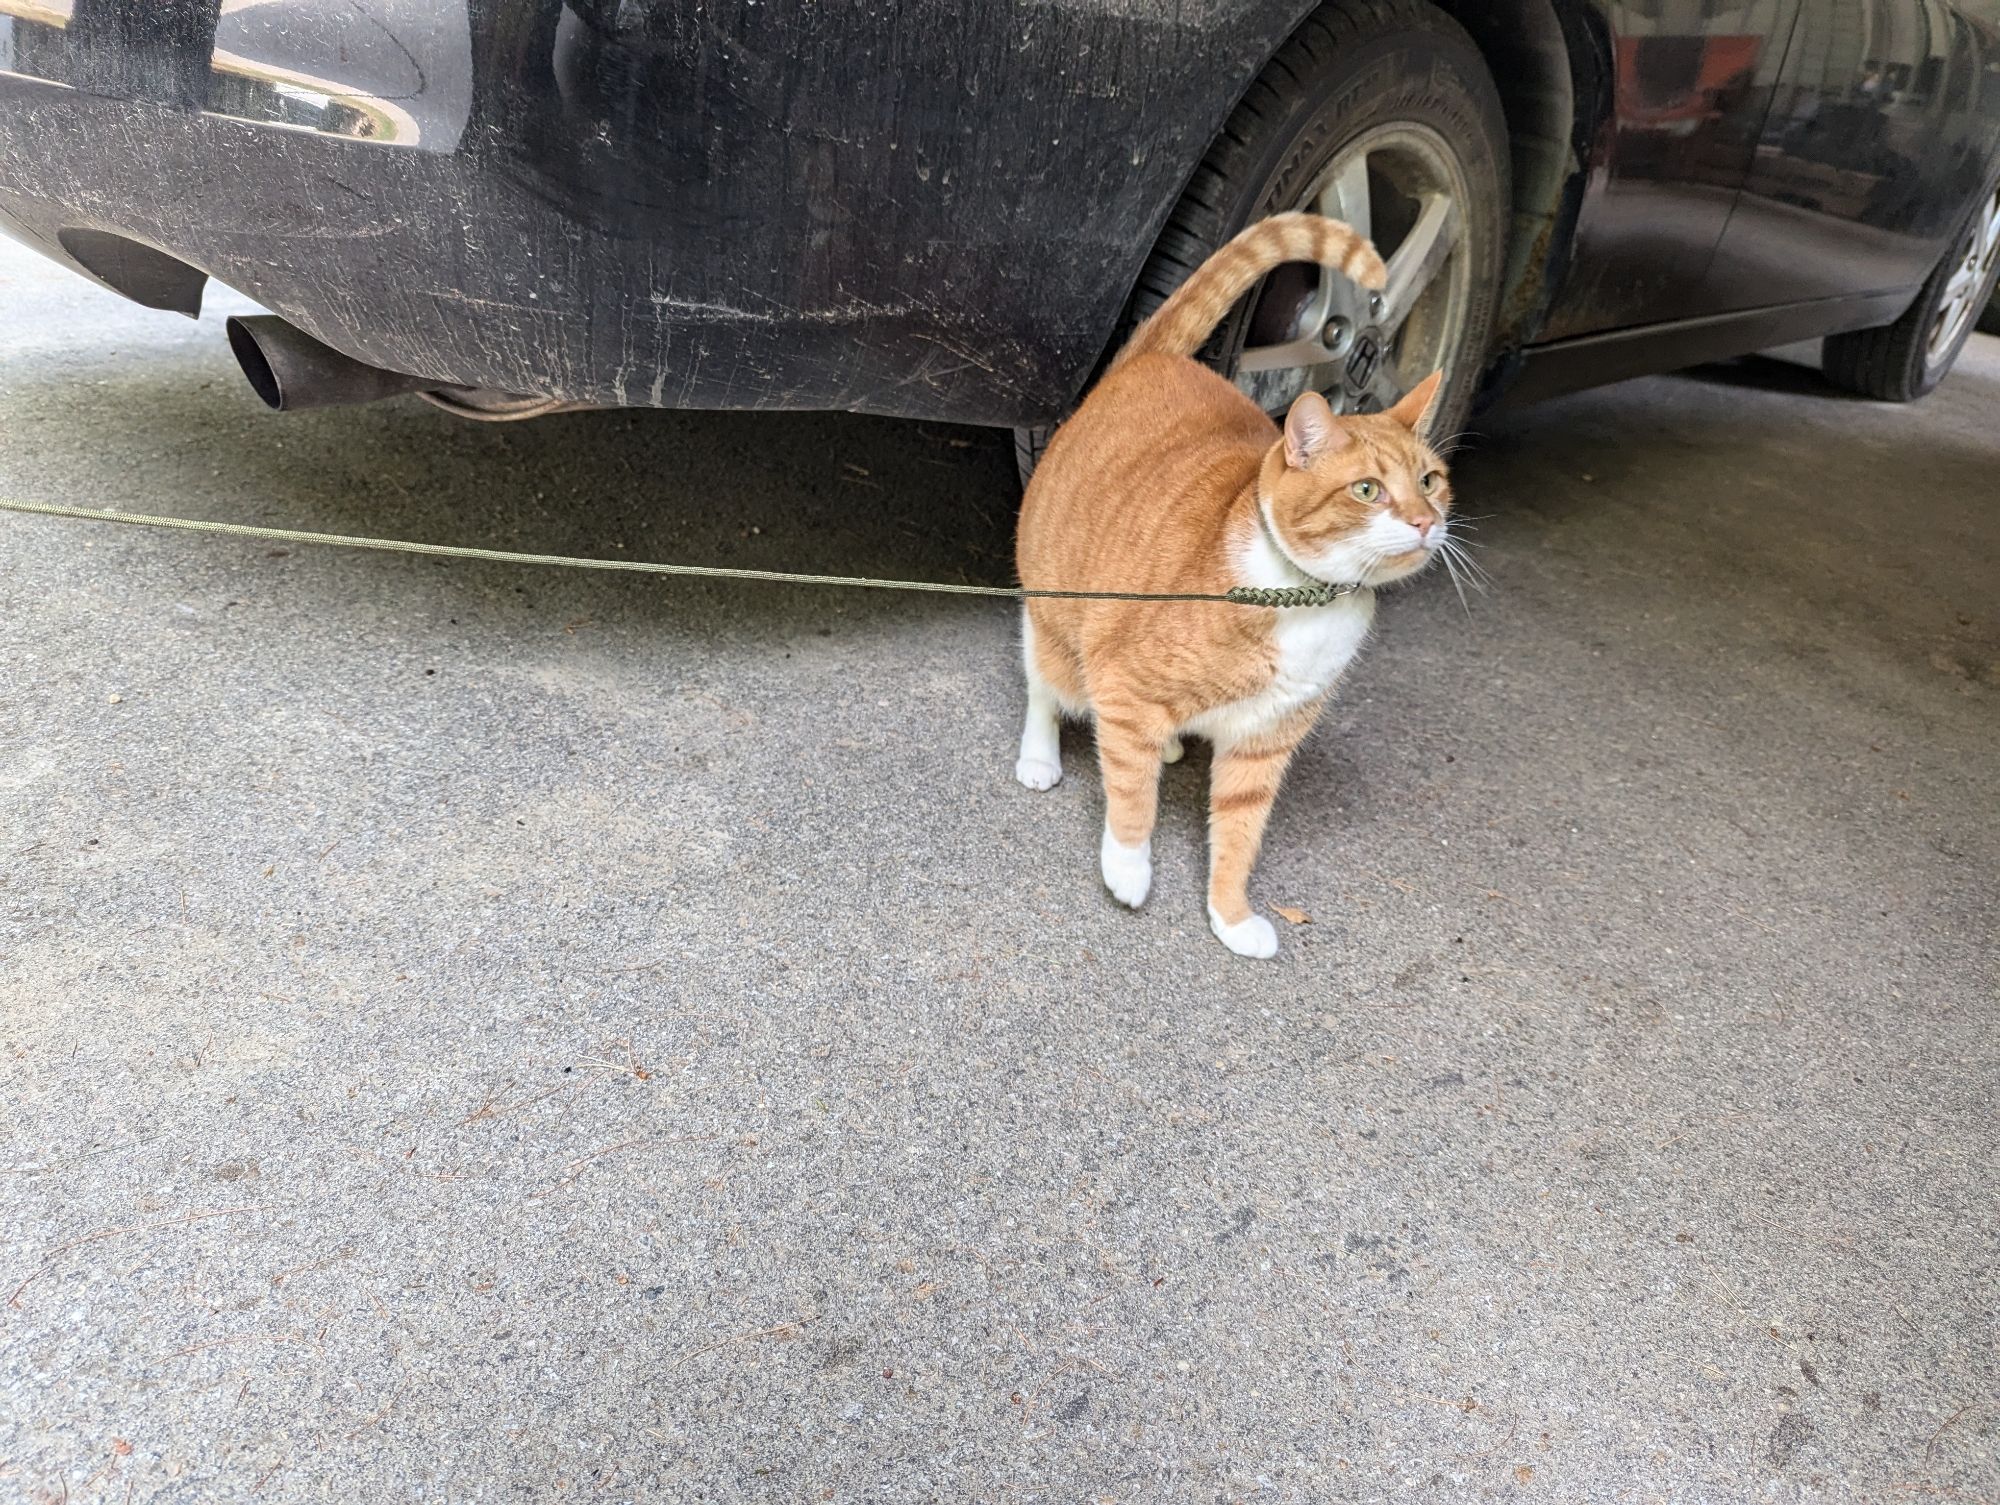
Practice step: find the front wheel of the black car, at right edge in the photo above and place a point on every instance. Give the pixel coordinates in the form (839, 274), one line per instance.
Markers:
(1907, 359)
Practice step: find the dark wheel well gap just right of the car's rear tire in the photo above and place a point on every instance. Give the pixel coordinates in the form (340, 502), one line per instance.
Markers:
(1543, 91)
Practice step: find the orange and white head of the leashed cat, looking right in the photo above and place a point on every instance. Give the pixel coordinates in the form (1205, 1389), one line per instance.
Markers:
(1359, 497)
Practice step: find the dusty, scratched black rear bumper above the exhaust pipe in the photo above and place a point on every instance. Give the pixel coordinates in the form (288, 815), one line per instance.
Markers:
(647, 217)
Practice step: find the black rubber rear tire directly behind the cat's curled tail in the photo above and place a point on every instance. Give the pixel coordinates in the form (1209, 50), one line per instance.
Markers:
(1355, 75)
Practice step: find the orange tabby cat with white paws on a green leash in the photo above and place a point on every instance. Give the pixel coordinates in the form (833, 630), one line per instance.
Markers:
(1171, 479)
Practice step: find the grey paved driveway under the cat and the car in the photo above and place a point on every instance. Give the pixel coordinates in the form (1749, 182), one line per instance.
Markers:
(481, 1034)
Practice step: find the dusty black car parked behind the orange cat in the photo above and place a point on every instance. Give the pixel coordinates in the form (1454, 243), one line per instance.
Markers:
(953, 209)
